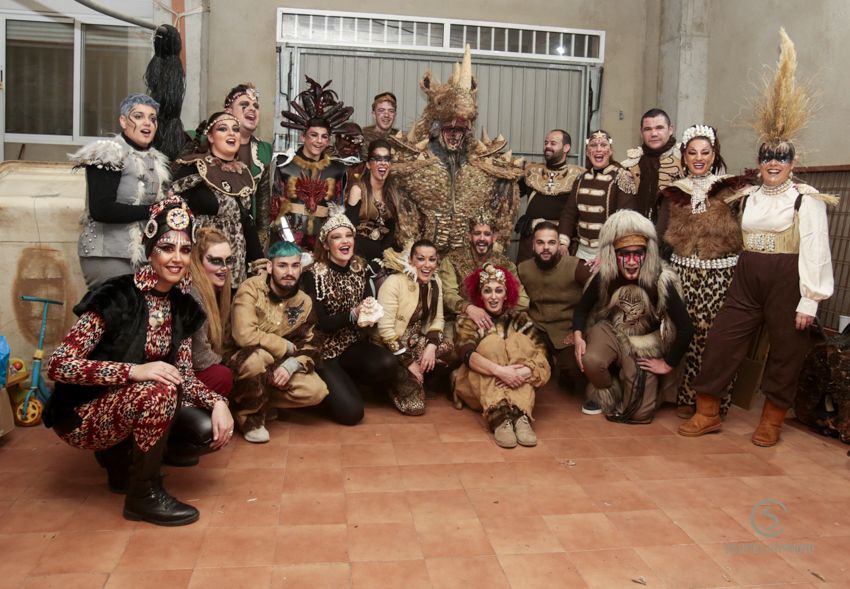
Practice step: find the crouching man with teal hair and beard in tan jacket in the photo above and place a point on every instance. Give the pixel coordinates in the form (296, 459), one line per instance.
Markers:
(275, 348)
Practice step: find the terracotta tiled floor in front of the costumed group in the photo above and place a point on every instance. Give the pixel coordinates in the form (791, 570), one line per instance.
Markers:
(432, 502)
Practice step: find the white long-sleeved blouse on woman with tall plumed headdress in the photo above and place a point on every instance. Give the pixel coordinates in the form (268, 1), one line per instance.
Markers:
(775, 213)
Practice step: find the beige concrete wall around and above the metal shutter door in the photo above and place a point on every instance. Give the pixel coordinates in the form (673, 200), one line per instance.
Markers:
(242, 45)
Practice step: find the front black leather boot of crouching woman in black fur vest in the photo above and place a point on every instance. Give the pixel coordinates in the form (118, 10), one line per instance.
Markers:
(146, 499)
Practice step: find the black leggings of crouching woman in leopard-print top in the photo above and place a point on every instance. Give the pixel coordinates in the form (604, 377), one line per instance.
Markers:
(362, 363)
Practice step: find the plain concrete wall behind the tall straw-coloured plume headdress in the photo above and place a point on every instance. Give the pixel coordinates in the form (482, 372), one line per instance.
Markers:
(743, 37)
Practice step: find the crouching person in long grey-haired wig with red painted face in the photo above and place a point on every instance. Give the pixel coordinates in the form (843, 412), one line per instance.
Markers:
(631, 317)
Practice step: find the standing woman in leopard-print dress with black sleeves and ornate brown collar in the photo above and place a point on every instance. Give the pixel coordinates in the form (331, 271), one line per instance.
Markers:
(220, 188)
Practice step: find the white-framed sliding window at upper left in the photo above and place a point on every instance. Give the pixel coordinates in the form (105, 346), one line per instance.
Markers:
(44, 83)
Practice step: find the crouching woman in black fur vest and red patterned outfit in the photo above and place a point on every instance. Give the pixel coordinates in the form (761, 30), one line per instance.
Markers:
(126, 366)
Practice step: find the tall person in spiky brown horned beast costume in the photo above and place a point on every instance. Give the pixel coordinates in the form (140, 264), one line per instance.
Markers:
(445, 175)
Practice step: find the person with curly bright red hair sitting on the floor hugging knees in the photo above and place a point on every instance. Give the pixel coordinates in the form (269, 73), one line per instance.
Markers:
(502, 365)
